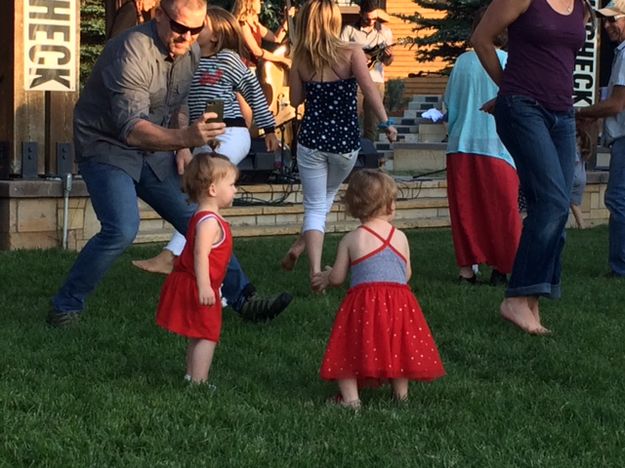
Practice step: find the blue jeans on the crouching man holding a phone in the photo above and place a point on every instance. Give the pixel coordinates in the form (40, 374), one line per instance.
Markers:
(114, 195)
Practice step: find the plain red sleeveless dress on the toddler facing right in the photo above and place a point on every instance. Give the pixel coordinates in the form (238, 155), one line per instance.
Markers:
(179, 309)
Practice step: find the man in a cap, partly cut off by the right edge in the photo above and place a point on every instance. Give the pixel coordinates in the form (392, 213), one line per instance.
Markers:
(613, 110)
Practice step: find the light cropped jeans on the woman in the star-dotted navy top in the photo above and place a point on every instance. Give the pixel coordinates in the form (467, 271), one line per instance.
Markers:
(322, 174)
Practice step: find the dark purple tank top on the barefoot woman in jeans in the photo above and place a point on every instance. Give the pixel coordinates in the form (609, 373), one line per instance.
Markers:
(542, 45)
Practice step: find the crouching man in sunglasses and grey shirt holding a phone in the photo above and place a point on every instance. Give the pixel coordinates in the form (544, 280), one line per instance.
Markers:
(125, 131)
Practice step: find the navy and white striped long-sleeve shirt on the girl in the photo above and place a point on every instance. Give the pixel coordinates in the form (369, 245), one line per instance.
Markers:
(218, 77)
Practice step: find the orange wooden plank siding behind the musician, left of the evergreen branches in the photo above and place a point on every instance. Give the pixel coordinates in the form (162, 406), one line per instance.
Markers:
(405, 61)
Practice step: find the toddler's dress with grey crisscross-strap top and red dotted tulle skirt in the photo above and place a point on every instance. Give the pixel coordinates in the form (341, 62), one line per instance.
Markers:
(379, 331)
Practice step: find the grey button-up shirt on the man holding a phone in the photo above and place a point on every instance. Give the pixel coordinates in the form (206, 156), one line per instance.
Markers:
(135, 78)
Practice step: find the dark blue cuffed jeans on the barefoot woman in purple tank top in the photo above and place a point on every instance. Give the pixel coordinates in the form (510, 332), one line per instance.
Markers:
(542, 143)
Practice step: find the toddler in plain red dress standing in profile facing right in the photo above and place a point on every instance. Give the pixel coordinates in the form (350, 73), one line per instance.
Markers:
(190, 303)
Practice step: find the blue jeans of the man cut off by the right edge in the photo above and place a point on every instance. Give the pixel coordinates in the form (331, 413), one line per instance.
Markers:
(615, 201)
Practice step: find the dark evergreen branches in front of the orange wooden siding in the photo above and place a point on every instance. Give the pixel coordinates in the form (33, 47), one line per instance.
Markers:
(445, 37)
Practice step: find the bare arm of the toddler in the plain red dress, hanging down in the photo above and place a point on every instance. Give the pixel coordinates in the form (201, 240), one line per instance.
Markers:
(206, 234)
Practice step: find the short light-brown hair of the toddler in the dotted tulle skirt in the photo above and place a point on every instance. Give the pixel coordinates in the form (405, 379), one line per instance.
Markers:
(370, 193)
